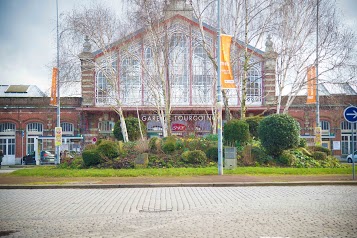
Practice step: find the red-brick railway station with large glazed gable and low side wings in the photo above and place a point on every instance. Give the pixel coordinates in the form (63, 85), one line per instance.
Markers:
(132, 74)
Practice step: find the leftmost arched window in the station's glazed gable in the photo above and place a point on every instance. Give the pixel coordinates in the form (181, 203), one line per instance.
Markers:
(106, 79)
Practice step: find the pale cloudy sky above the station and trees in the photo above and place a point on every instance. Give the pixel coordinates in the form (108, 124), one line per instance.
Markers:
(27, 37)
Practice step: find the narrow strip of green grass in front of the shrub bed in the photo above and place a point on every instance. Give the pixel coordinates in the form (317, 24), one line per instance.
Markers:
(52, 171)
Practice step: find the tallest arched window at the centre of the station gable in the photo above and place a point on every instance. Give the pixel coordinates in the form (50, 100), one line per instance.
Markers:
(178, 75)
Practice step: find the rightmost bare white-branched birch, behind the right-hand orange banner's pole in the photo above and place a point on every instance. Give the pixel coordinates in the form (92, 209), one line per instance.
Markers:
(295, 42)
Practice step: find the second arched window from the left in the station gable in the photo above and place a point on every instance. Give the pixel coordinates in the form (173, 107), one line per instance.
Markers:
(130, 81)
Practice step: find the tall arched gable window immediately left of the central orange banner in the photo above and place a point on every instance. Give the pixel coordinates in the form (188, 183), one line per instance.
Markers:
(202, 77)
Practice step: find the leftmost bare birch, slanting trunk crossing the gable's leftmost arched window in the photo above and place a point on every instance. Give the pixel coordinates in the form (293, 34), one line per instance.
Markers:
(102, 27)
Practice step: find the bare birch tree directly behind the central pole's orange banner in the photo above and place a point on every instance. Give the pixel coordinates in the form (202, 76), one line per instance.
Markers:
(248, 20)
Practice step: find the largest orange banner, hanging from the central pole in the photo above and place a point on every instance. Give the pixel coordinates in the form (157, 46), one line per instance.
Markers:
(227, 80)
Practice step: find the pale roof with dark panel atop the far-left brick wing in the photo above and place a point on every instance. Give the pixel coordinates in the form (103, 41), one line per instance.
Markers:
(20, 91)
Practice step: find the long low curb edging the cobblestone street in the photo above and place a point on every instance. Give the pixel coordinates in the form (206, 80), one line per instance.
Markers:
(162, 185)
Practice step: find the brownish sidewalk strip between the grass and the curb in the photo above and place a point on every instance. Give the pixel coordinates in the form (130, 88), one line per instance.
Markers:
(8, 182)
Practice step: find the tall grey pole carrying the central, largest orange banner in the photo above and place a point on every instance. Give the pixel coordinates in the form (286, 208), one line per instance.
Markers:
(219, 94)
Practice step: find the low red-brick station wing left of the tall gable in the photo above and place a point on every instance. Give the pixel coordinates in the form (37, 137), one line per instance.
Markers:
(27, 122)
